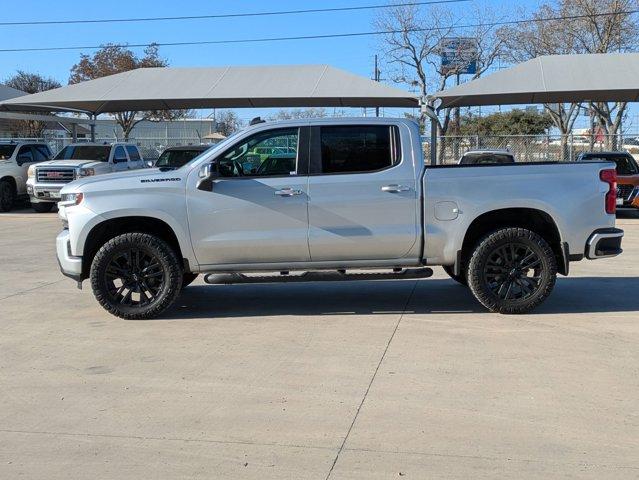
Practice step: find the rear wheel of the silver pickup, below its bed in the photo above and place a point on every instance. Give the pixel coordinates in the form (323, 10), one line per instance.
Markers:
(512, 270)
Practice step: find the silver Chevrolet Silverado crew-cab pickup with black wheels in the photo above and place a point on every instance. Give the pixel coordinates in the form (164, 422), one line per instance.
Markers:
(352, 200)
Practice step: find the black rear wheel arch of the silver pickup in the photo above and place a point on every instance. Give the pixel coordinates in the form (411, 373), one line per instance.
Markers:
(532, 219)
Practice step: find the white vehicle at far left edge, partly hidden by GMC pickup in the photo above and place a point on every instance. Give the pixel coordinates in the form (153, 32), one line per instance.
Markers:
(15, 159)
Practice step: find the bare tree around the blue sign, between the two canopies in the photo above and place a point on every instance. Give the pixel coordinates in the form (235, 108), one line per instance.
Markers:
(413, 43)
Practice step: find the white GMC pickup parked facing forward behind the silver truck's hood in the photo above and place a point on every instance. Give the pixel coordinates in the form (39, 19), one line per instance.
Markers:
(74, 161)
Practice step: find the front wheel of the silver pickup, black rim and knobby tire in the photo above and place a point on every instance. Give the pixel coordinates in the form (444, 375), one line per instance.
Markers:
(136, 276)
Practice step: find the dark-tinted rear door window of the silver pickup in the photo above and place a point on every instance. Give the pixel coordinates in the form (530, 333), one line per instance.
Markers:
(362, 148)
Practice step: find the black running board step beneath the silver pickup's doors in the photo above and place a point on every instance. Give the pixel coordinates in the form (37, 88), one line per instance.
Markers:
(315, 276)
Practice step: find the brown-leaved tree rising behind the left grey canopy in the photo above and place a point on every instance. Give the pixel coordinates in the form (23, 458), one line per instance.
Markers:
(112, 59)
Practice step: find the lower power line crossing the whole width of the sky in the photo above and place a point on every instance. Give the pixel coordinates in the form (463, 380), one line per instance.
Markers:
(315, 37)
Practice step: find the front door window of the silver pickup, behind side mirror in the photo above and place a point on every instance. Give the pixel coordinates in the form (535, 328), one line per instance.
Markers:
(269, 153)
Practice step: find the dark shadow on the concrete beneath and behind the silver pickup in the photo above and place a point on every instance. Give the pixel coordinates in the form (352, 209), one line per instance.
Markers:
(440, 296)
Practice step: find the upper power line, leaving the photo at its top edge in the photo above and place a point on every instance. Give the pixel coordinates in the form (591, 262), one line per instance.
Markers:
(230, 15)
